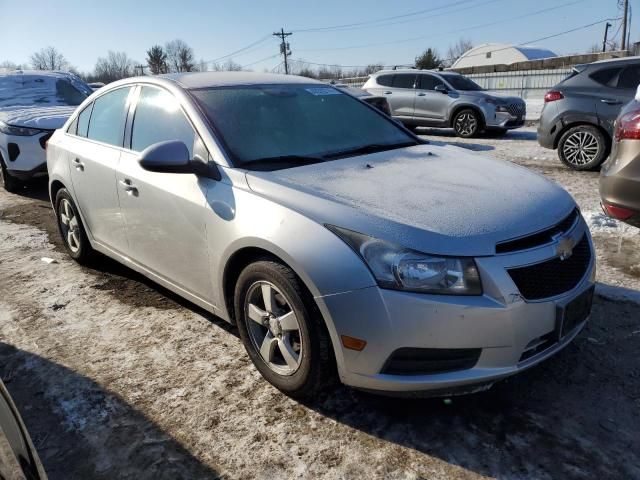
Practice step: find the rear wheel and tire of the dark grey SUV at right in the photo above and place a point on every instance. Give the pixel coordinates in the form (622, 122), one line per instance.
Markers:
(583, 147)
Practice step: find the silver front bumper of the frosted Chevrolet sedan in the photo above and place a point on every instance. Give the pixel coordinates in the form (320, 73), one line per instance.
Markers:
(499, 323)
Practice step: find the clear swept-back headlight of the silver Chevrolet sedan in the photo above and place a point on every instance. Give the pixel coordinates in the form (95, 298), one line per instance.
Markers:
(401, 268)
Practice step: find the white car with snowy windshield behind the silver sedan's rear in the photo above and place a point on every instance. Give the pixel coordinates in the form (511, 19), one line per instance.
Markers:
(32, 105)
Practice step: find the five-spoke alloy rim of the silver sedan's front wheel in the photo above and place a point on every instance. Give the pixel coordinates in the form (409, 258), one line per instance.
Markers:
(273, 328)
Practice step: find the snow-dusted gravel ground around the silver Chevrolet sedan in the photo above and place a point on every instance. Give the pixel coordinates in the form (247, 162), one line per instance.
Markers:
(118, 378)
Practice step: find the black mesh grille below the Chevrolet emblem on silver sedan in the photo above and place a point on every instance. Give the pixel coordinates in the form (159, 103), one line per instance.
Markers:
(553, 277)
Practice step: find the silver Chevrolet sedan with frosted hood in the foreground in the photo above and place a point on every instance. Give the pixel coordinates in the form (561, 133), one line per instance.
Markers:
(330, 235)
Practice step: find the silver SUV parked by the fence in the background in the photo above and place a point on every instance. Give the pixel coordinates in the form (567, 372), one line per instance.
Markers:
(425, 98)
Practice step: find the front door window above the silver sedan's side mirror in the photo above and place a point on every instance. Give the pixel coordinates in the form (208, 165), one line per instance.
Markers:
(159, 118)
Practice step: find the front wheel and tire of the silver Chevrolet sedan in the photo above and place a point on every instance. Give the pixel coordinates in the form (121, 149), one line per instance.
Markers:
(308, 366)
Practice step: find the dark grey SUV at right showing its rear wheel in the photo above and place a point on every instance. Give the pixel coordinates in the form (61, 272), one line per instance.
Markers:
(578, 114)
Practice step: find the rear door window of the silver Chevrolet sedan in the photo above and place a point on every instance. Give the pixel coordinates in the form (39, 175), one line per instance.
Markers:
(108, 117)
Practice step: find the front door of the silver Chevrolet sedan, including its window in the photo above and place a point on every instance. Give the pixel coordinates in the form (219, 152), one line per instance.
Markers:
(165, 213)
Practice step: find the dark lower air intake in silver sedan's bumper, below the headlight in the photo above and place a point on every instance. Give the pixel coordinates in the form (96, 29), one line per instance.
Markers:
(425, 361)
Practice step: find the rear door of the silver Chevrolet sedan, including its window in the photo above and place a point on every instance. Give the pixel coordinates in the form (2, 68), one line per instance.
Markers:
(94, 154)
